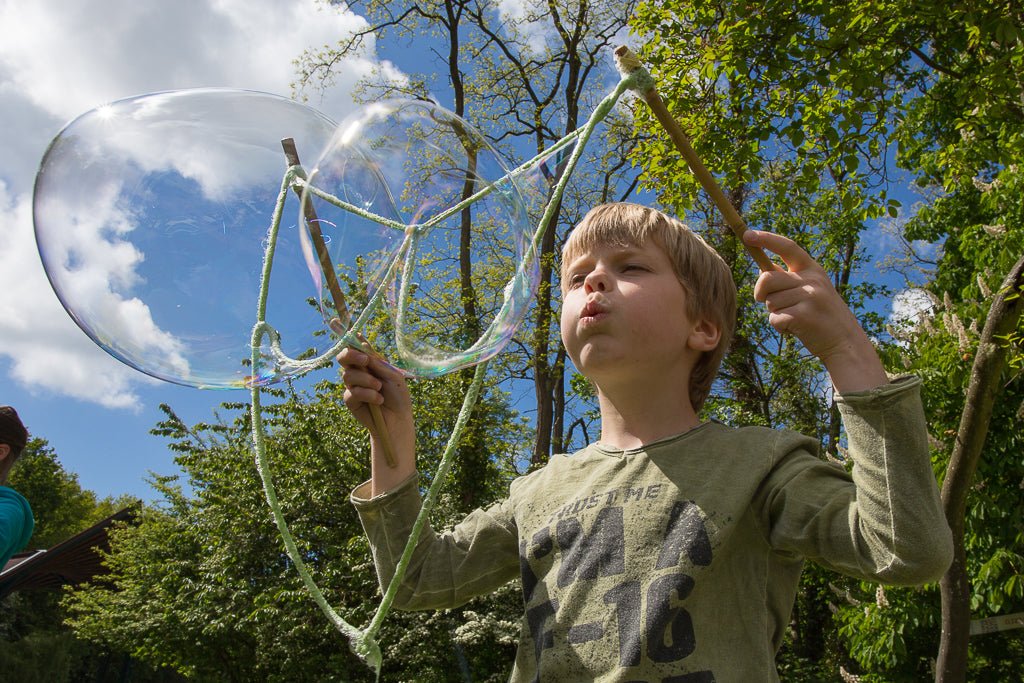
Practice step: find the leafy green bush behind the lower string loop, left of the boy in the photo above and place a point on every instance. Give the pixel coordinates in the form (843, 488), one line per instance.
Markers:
(202, 584)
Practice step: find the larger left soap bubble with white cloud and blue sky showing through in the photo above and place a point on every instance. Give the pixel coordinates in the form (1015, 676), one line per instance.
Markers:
(152, 218)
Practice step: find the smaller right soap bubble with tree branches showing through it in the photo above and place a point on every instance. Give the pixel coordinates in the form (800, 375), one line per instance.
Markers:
(466, 271)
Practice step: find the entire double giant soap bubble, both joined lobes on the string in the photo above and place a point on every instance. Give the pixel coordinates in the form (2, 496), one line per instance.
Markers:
(153, 219)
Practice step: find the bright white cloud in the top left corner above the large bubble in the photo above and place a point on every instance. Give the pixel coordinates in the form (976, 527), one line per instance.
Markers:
(94, 54)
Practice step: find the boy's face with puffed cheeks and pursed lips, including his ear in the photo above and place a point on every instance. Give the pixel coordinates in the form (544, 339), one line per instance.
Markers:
(624, 315)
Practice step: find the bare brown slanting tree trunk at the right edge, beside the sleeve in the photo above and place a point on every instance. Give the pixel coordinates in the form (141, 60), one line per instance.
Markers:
(984, 389)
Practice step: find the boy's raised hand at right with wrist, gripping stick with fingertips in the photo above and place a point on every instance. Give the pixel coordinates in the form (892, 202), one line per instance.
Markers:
(802, 302)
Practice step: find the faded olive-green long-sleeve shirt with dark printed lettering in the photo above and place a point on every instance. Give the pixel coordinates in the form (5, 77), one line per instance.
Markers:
(679, 562)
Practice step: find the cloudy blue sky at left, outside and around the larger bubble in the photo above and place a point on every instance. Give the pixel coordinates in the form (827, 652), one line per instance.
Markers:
(57, 62)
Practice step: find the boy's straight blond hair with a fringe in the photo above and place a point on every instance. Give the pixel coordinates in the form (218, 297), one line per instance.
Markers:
(707, 280)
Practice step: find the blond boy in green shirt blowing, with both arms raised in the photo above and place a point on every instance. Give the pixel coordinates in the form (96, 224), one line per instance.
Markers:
(670, 550)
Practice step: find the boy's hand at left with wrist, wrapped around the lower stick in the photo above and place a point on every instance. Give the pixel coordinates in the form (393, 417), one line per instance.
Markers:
(371, 381)
